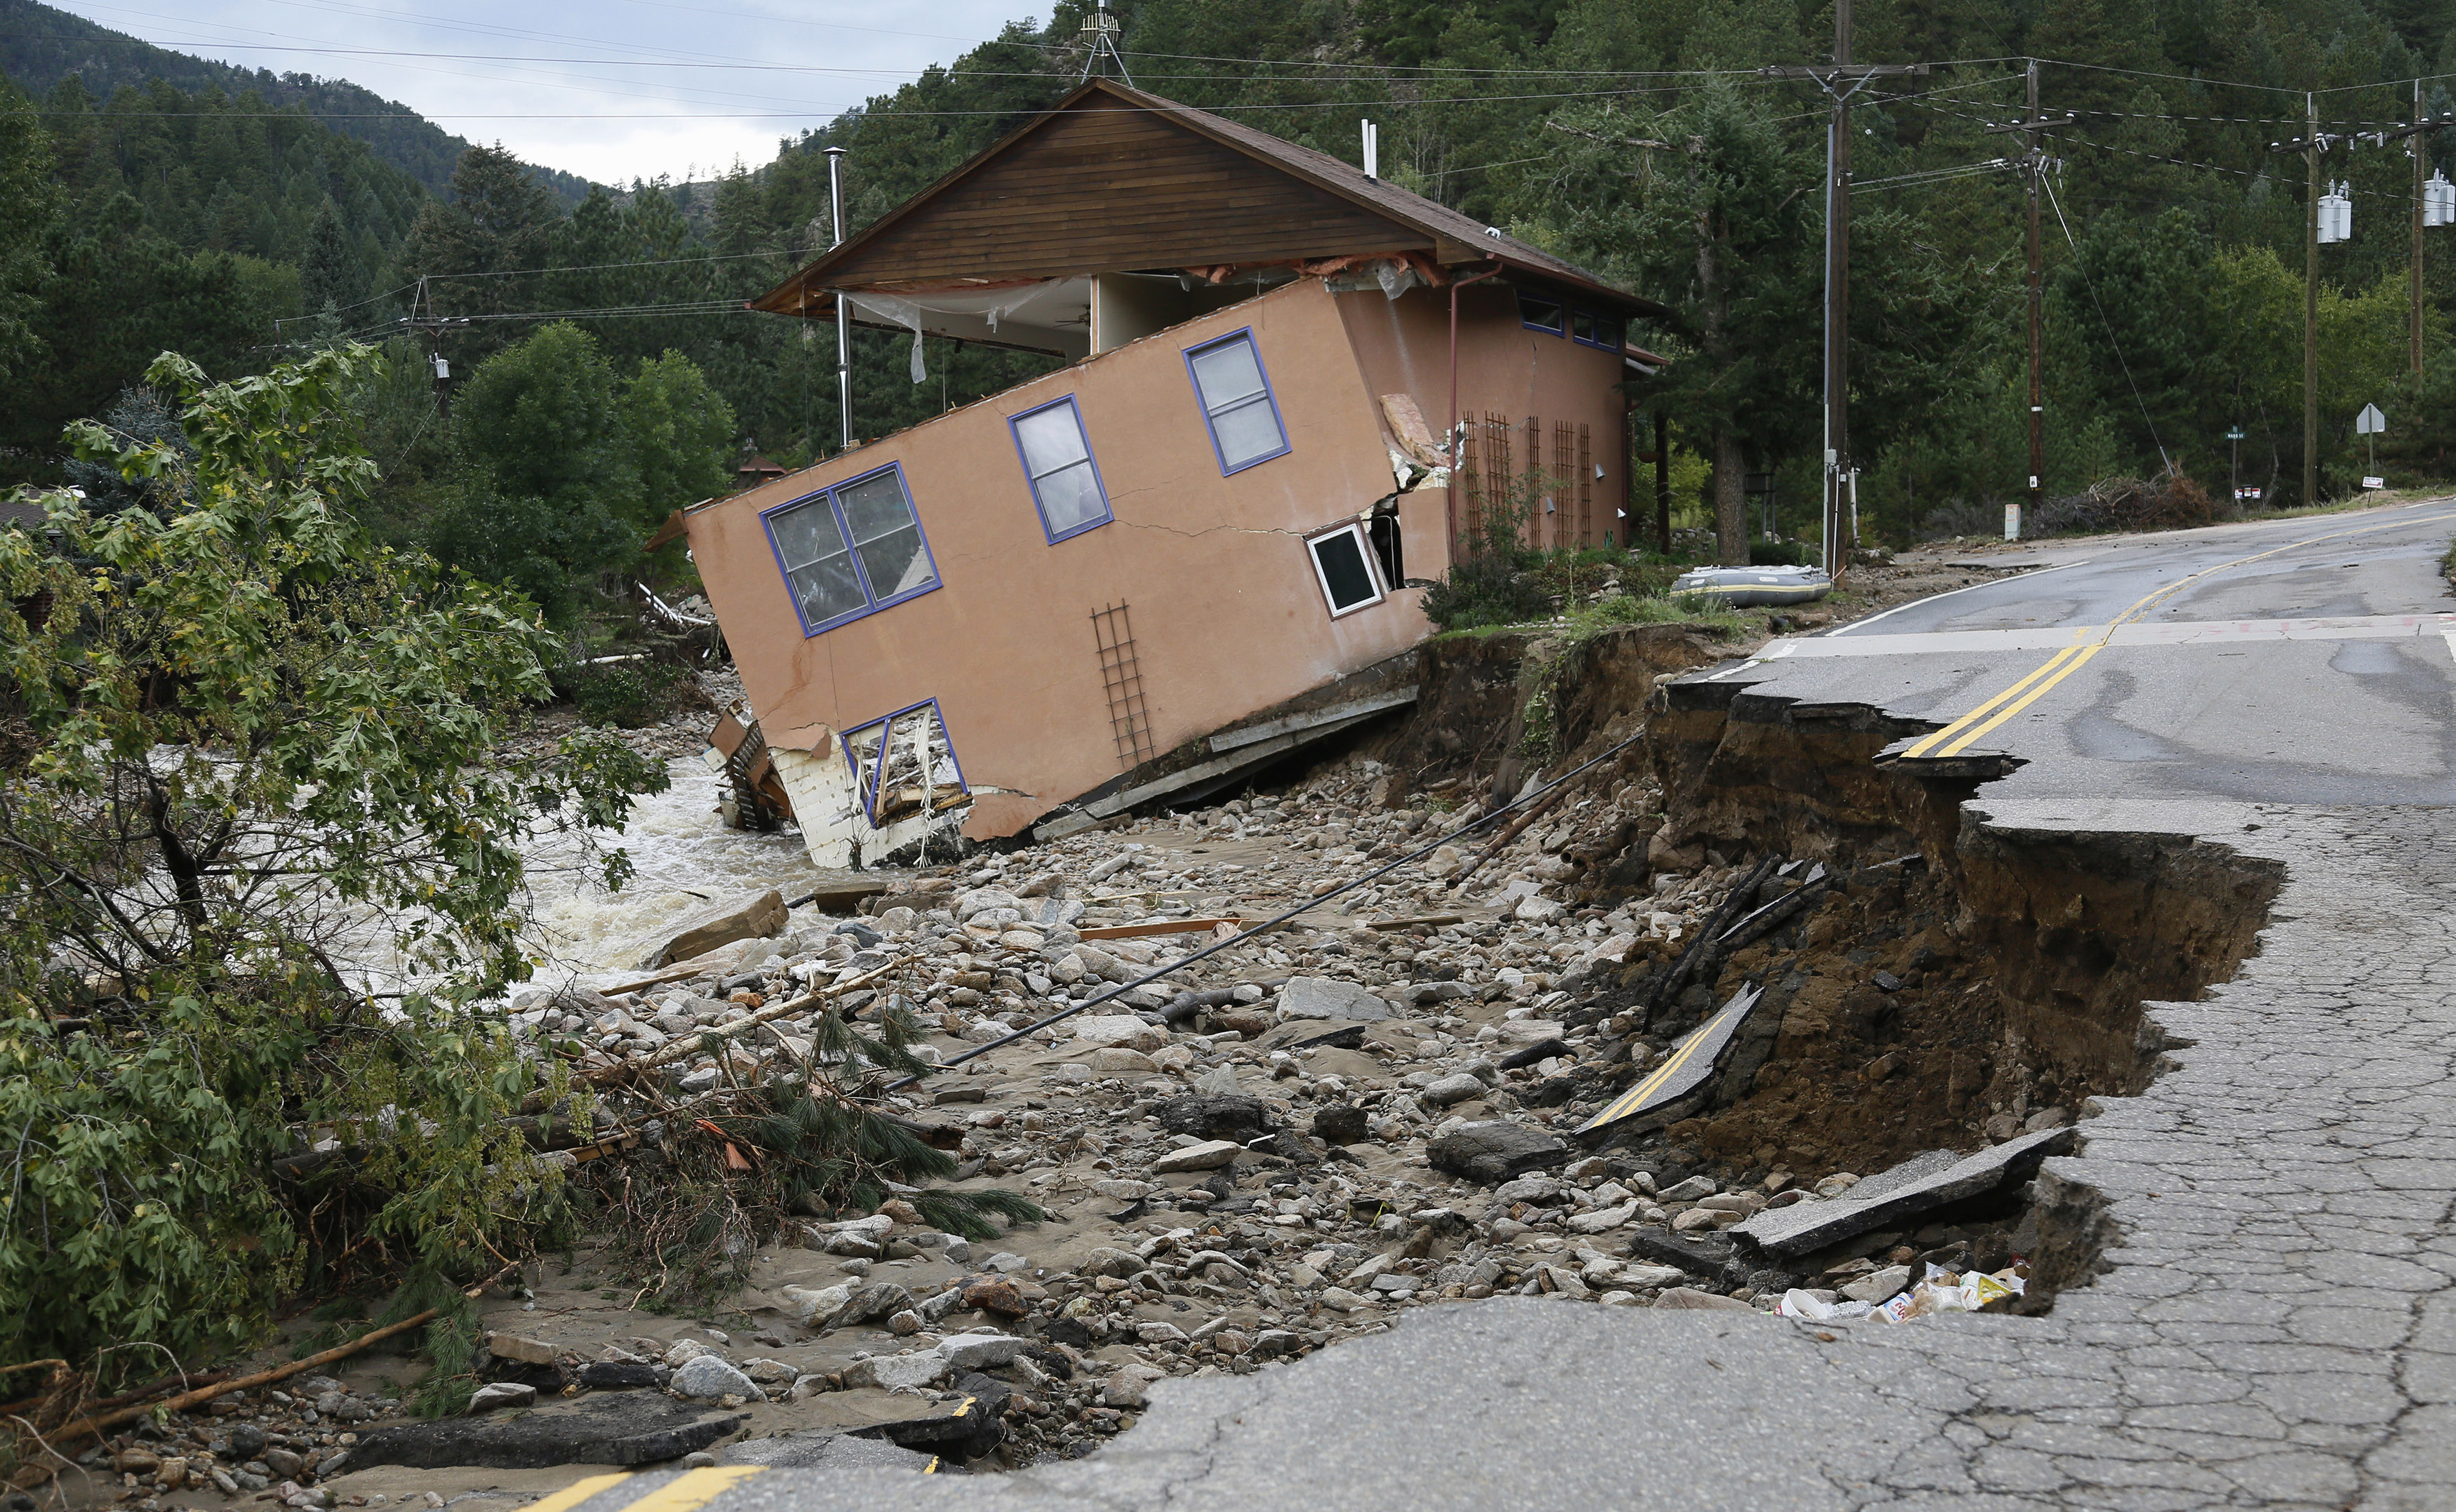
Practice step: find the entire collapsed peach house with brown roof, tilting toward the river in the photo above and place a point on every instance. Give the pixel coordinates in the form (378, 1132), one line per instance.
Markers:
(1229, 497)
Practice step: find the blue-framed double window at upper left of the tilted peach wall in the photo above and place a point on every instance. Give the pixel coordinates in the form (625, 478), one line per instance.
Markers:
(851, 551)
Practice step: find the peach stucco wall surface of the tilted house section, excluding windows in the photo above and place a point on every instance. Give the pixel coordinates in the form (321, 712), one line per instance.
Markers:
(1224, 607)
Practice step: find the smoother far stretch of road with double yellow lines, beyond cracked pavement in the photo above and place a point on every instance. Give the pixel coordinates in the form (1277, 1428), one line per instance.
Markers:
(2290, 661)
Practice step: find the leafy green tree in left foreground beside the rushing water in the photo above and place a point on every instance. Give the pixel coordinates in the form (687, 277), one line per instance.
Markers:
(252, 767)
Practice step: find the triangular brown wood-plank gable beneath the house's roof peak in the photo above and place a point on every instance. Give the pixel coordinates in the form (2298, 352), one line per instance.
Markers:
(1104, 188)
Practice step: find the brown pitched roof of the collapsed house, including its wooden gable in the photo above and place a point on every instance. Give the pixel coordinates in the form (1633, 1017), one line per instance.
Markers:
(1325, 207)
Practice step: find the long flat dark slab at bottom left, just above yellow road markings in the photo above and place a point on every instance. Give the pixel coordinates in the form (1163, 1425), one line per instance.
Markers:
(630, 1430)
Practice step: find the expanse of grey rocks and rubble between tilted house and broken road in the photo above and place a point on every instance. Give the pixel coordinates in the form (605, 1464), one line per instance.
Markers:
(1291, 1143)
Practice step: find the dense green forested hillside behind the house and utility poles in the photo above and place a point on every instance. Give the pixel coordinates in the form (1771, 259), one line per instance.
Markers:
(1639, 141)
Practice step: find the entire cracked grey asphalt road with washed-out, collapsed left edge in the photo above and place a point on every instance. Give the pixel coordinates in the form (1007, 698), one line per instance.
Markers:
(2278, 1317)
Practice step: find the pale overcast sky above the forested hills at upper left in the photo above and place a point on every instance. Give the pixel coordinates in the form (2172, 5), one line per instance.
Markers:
(610, 90)
